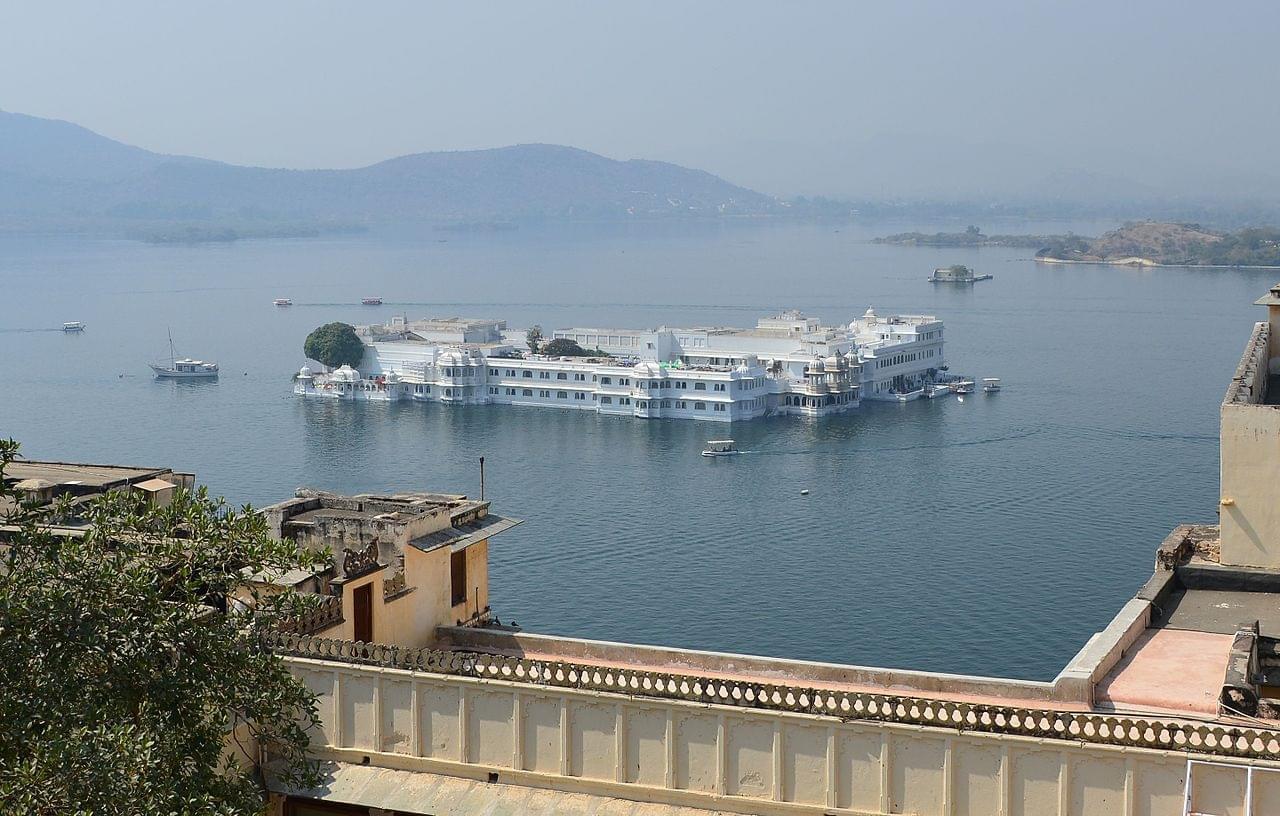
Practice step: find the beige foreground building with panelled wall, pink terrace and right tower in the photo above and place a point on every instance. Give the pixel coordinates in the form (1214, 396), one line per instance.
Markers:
(1173, 709)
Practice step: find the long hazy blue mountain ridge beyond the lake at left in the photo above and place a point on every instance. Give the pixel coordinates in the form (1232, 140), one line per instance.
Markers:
(57, 175)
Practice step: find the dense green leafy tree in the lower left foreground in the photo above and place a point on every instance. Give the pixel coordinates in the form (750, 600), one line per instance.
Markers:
(126, 675)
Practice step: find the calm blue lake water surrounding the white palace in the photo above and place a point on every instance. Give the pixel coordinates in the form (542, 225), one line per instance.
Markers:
(989, 537)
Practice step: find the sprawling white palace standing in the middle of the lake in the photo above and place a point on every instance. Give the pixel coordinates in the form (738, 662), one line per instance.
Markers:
(788, 364)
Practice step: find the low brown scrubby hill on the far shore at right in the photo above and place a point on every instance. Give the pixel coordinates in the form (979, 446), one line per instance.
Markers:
(1169, 245)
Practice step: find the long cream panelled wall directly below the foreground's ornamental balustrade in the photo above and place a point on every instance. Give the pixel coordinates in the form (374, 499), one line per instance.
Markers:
(747, 760)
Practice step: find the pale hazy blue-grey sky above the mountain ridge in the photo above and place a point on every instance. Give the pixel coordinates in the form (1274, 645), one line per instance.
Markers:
(851, 99)
